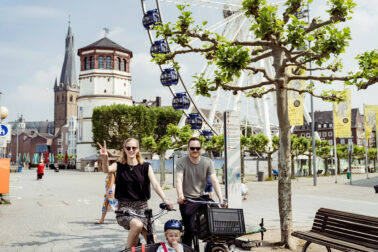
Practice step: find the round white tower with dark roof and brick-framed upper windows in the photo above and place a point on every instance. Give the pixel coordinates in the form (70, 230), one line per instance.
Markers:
(105, 79)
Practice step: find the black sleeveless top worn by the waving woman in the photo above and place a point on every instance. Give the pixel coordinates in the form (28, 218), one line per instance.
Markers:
(132, 183)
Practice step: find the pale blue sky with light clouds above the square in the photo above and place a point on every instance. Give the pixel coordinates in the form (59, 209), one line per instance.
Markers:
(32, 44)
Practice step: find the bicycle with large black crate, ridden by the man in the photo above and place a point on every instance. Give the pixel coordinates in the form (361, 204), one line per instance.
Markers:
(220, 228)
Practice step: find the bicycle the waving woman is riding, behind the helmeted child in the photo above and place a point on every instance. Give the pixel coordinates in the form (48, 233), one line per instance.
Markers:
(150, 245)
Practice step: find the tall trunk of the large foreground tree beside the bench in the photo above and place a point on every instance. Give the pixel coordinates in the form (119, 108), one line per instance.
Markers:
(284, 181)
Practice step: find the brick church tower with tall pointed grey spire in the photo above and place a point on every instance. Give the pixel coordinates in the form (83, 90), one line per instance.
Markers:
(67, 90)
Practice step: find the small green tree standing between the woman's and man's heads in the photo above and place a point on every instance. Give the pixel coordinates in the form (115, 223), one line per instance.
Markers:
(174, 139)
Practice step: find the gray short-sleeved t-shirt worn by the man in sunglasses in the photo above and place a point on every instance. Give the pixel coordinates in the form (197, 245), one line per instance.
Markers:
(194, 175)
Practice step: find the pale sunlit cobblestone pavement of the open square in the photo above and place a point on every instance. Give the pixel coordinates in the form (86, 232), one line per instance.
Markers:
(58, 212)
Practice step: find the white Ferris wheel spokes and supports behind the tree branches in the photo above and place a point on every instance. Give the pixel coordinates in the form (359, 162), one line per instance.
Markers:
(233, 25)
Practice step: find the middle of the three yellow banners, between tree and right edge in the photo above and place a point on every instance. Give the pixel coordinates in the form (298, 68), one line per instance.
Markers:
(342, 119)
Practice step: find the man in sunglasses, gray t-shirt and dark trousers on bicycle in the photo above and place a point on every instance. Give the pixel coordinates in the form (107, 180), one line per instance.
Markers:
(191, 176)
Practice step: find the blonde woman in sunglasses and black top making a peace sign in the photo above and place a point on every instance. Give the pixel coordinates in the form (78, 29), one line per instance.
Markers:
(133, 179)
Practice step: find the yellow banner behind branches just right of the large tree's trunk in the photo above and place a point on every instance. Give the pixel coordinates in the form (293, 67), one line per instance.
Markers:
(295, 101)
